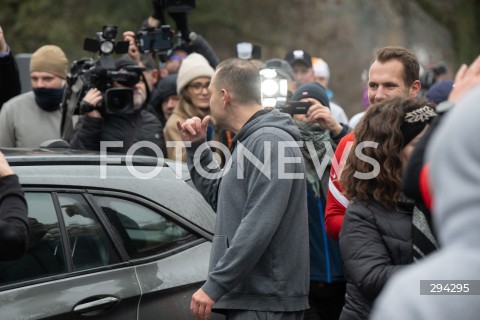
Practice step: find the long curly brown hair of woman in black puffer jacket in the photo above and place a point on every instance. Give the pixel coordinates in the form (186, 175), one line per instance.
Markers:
(381, 124)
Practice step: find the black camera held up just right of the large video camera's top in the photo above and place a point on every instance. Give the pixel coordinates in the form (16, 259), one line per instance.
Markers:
(155, 39)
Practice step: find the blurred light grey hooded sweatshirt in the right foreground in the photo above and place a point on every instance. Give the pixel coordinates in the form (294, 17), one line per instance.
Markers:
(454, 158)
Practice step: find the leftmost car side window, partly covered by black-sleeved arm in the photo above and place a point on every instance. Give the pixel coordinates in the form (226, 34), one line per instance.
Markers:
(45, 254)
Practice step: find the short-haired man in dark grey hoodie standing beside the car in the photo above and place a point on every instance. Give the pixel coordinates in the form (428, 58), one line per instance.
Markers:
(259, 264)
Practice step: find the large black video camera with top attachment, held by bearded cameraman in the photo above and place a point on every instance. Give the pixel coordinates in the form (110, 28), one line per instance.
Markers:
(101, 74)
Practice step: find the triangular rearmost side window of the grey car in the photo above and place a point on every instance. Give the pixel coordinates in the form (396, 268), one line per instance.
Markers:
(143, 231)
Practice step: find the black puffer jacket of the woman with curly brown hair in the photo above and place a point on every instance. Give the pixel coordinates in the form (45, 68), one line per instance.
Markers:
(375, 242)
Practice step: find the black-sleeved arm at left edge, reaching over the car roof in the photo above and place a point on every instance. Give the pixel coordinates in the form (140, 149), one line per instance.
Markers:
(13, 214)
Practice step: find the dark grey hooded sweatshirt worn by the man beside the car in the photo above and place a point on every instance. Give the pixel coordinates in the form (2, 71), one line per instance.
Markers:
(260, 254)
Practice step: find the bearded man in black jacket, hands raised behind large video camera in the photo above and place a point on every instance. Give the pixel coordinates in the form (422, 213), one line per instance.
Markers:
(130, 127)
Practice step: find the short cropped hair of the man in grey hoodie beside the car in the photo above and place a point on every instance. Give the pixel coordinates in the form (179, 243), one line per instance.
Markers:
(241, 78)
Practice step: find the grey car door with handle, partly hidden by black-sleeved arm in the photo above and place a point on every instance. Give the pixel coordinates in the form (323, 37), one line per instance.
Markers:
(71, 267)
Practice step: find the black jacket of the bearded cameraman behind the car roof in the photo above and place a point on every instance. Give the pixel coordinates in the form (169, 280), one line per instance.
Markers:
(142, 126)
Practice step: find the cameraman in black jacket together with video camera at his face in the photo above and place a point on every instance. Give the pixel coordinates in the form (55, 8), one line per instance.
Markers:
(118, 114)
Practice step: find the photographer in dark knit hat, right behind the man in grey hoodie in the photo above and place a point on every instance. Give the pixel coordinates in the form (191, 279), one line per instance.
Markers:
(320, 130)
